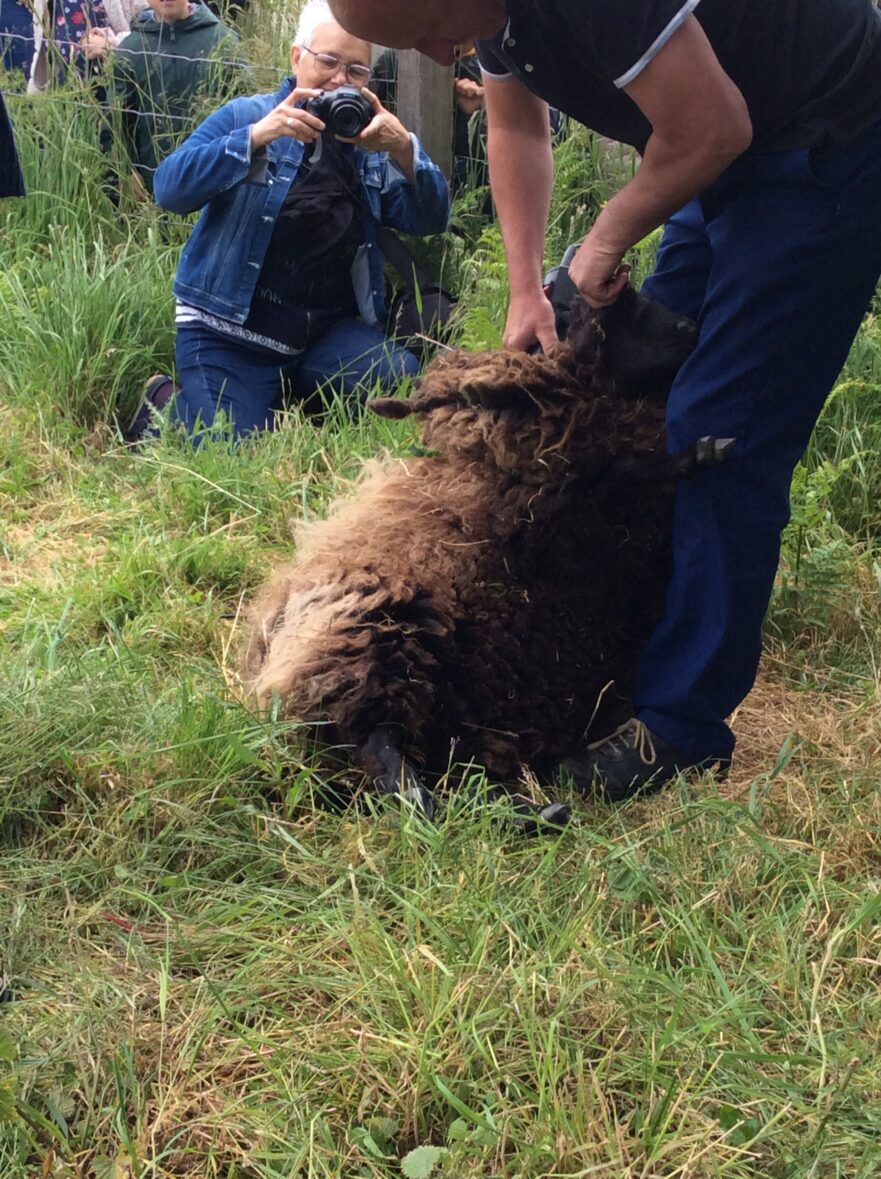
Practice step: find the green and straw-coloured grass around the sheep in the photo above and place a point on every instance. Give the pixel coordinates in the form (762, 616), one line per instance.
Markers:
(215, 979)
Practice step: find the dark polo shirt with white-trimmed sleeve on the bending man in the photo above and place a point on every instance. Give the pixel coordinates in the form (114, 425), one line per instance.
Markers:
(810, 70)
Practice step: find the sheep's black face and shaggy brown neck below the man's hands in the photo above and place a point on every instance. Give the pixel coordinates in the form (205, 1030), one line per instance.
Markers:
(545, 418)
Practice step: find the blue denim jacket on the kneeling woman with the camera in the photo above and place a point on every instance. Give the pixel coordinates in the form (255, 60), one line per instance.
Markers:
(241, 195)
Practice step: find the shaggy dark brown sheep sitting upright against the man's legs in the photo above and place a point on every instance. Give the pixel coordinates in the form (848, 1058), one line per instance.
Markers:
(486, 602)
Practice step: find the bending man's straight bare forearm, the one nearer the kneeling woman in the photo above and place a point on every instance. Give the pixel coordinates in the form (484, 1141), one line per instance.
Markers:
(522, 179)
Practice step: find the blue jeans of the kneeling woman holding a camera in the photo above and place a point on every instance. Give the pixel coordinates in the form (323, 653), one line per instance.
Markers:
(249, 385)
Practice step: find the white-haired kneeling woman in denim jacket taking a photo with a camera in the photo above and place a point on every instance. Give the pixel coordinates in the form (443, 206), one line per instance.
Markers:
(280, 288)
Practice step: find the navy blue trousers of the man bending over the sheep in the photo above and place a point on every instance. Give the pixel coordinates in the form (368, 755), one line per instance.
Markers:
(778, 261)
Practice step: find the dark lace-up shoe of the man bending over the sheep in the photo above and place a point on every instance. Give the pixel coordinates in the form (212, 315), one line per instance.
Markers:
(632, 761)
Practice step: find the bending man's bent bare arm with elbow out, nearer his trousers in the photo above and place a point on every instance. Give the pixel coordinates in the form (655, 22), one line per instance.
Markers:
(700, 126)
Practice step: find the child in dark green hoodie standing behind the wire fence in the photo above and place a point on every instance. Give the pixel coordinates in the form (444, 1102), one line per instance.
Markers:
(176, 54)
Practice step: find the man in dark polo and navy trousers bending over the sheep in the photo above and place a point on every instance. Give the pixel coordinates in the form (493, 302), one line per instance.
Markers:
(759, 123)
